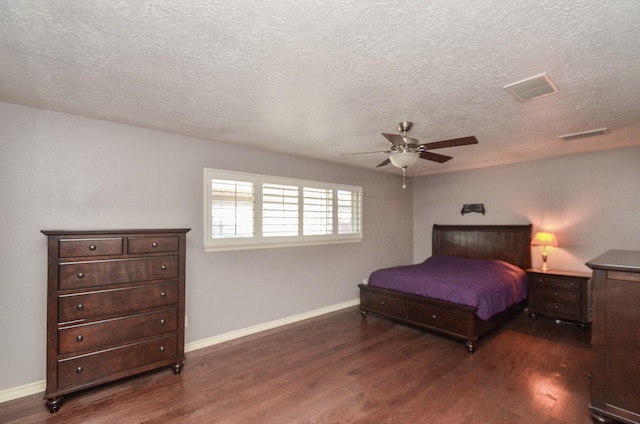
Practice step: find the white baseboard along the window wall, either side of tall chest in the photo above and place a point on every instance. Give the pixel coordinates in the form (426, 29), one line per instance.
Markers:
(40, 386)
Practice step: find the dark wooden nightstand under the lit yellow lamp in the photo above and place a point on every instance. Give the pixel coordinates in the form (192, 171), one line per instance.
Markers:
(560, 294)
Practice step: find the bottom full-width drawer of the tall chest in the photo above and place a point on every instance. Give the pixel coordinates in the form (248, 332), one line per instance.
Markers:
(83, 369)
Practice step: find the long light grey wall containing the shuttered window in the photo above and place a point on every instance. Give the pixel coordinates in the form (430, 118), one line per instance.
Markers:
(61, 171)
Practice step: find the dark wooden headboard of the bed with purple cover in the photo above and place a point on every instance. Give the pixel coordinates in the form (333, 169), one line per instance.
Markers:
(509, 243)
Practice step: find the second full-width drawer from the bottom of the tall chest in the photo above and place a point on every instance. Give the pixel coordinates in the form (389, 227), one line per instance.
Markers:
(115, 332)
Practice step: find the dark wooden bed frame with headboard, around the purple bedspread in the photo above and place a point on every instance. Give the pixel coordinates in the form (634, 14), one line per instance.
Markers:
(505, 243)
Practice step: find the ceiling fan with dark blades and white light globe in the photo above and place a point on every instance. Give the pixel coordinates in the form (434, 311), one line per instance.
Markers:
(405, 152)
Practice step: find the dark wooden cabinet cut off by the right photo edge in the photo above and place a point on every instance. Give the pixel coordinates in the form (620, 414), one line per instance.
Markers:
(615, 376)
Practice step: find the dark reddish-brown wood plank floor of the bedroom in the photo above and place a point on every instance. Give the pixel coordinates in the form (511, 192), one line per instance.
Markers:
(341, 369)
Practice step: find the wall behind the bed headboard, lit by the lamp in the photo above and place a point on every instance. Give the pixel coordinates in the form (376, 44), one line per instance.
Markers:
(591, 201)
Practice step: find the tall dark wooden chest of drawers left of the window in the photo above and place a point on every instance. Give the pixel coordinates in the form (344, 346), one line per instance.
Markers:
(115, 306)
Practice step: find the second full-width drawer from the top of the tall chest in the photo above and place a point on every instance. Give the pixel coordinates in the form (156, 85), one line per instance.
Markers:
(113, 302)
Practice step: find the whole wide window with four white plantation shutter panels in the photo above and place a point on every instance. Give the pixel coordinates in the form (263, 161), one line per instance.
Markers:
(247, 211)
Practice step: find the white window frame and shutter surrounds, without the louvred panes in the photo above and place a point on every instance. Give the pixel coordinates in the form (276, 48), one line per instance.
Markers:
(258, 241)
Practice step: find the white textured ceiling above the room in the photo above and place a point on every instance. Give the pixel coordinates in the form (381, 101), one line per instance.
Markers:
(318, 79)
